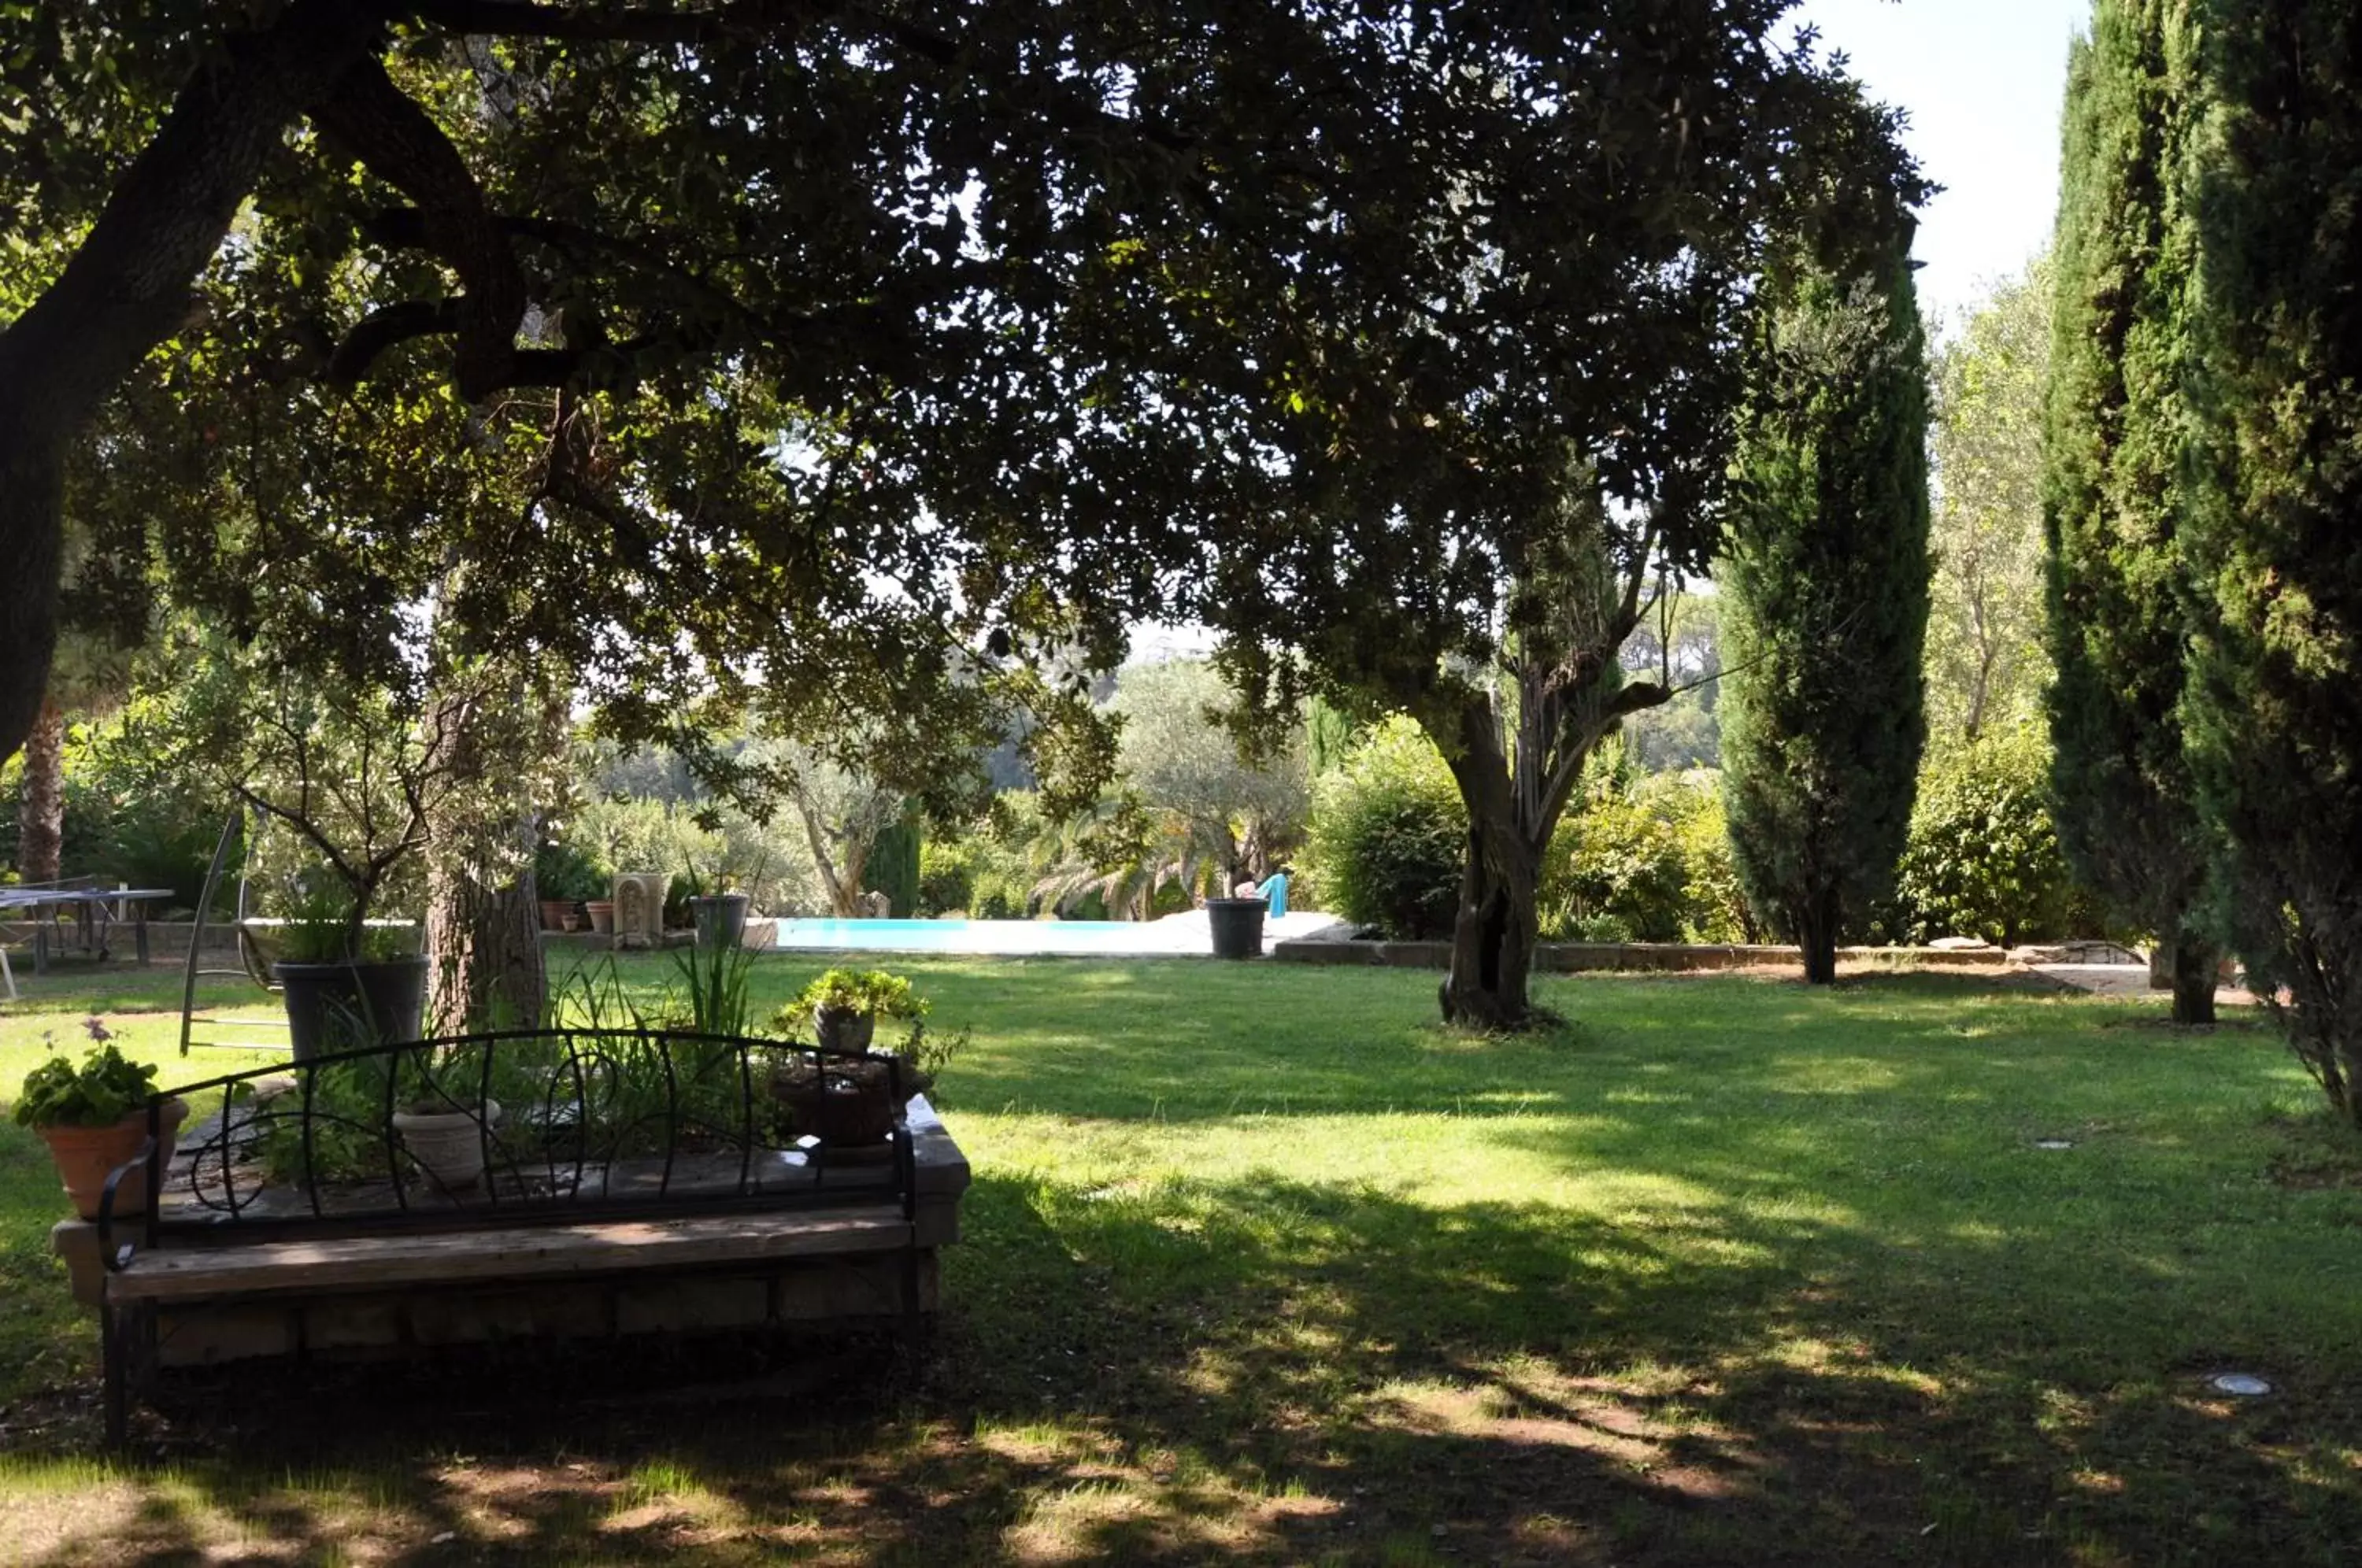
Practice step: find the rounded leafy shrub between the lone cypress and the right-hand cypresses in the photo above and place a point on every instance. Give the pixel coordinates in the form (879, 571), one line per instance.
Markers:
(1983, 856)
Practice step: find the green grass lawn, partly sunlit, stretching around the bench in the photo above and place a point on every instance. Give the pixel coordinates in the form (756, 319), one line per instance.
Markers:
(1265, 1267)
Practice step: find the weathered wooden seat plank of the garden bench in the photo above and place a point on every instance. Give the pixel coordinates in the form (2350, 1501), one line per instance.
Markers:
(523, 1253)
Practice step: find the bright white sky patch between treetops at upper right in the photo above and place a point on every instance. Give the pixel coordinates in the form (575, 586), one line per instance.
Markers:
(1983, 86)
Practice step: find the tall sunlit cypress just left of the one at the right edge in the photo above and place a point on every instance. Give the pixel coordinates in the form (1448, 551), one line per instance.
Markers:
(2115, 485)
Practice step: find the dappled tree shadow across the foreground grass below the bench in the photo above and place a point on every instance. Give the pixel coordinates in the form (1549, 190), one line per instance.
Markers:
(1260, 1371)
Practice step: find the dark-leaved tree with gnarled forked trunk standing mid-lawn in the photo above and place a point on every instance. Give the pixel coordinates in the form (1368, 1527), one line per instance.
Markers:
(1489, 476)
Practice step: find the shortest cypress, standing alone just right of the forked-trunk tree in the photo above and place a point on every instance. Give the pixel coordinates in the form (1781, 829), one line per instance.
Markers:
(1827, 596)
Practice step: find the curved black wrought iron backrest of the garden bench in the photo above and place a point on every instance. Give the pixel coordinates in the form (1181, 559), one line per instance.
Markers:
(566, 1125)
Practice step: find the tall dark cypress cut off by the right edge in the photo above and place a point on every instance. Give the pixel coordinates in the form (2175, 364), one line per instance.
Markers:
(2276, 672)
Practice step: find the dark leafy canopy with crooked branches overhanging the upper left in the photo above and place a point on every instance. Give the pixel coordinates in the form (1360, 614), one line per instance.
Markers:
(684, 327)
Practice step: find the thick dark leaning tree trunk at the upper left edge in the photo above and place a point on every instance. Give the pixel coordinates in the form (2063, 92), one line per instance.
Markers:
(126, 289)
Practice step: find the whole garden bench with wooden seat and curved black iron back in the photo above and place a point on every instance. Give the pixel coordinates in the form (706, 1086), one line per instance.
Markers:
(573, 1198)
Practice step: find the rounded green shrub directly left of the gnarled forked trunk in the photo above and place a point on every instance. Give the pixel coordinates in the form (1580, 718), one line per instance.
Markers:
(1390, 835)
